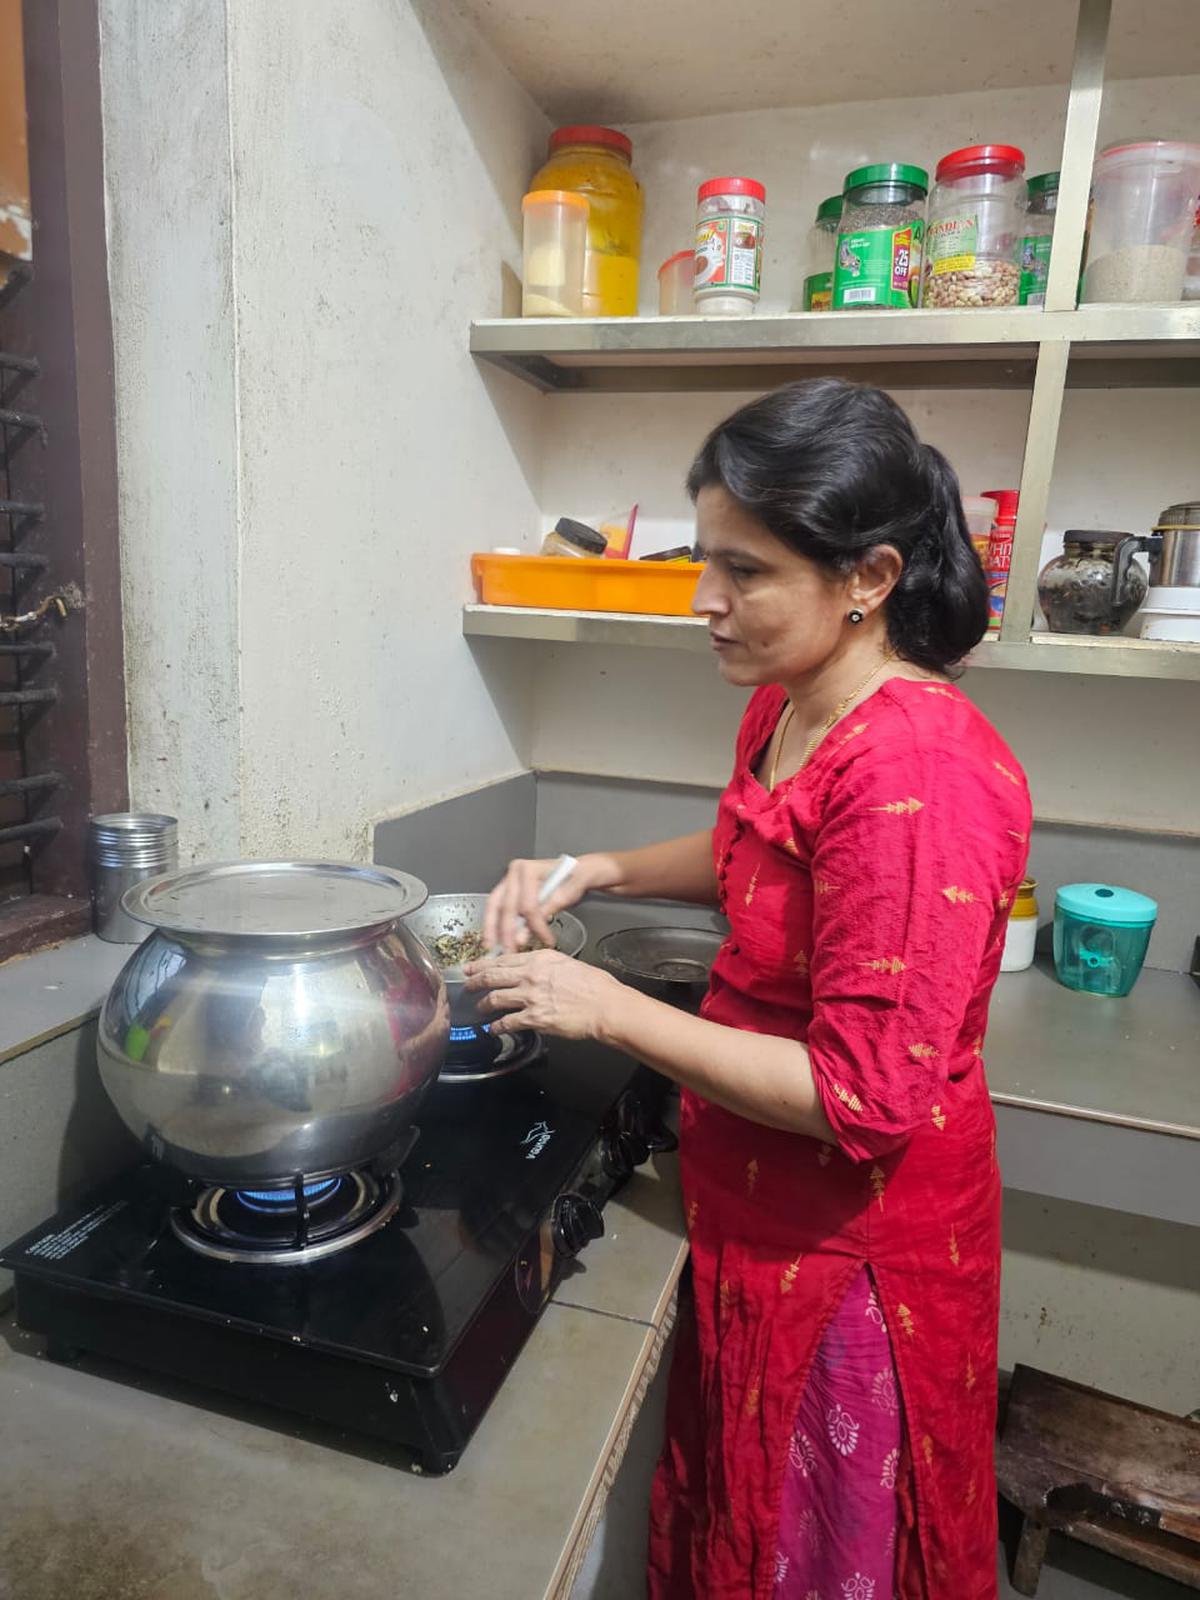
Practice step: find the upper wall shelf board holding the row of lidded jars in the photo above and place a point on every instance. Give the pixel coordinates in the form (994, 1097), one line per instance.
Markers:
(1108, 346)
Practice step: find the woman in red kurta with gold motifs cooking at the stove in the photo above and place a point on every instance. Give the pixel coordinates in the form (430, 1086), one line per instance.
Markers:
(833, 1399)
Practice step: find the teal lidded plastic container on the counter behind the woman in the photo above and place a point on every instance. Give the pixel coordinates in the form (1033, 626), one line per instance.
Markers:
(1102, 935)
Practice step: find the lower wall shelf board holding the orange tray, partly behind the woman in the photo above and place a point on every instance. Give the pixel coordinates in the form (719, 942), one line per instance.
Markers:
(1127, 658)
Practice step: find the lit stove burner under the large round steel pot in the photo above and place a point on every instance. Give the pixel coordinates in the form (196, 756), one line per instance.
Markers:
(270, 1228)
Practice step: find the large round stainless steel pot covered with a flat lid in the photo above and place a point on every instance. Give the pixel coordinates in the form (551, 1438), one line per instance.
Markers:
(279, 1020)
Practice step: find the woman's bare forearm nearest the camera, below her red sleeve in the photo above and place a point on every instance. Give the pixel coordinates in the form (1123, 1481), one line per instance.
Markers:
(759, 1078)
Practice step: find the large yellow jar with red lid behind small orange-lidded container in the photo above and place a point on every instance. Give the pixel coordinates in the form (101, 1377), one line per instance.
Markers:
(598, 164)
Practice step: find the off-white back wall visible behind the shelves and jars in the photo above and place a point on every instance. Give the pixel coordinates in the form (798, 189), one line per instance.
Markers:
(1097, 751)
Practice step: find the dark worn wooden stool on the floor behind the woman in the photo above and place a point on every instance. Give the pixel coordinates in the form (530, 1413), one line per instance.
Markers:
(1103, 1471)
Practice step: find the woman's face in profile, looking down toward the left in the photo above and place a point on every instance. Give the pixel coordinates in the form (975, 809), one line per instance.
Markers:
(772, 614)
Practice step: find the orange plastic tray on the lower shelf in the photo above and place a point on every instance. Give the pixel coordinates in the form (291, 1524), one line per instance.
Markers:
(570, 583)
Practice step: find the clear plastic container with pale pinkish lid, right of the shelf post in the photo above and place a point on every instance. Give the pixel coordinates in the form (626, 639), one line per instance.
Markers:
(1142, 222)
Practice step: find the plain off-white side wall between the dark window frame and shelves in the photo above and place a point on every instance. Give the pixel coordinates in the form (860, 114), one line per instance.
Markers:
(308, 206)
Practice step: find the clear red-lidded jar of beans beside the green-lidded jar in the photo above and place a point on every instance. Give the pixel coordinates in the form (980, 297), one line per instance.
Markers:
(977, 226)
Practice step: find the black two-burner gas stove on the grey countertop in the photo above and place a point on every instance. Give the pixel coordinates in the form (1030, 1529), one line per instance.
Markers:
(388, 1302)
